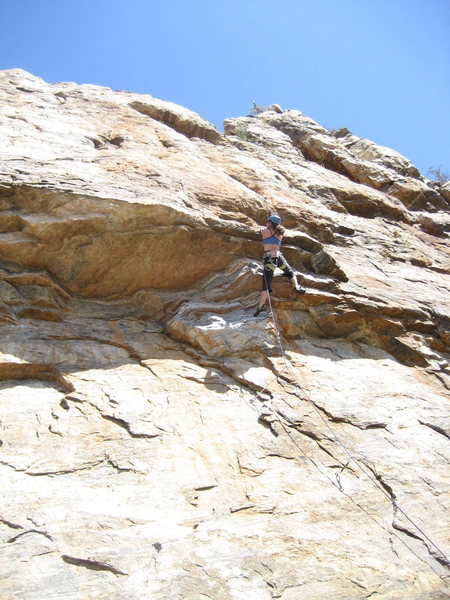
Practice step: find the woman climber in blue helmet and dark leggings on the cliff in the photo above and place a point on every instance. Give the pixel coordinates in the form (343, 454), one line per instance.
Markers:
(272, 235)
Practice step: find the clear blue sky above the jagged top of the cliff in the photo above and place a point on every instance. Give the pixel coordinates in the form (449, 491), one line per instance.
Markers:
(381, 68)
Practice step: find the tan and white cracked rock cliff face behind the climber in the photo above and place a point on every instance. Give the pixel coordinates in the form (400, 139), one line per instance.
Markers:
(157, 440)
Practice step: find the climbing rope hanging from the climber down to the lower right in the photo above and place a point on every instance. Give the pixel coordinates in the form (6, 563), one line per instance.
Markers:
(443, 559)
